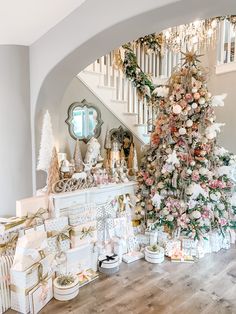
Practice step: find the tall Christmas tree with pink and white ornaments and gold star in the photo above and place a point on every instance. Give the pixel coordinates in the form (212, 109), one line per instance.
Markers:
(185, 181)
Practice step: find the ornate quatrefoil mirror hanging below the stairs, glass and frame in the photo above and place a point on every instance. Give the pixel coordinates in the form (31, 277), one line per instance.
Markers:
(84, 121)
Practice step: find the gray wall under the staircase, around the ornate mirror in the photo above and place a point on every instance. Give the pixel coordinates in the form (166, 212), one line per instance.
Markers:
(75, 92)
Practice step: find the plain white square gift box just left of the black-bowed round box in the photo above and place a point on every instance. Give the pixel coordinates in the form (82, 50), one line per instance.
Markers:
(81, 258)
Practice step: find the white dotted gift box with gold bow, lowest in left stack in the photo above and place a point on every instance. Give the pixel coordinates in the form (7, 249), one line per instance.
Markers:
(22, 282)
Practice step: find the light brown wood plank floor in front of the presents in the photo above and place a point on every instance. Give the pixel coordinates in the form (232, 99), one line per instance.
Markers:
(207, 286)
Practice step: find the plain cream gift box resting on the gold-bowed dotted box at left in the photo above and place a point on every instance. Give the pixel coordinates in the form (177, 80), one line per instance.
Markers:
(30, 249)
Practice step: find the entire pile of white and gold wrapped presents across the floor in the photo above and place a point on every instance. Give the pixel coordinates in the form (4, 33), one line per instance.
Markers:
(44, 256)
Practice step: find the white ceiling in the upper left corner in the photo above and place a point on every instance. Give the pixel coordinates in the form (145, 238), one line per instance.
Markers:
(22, 22)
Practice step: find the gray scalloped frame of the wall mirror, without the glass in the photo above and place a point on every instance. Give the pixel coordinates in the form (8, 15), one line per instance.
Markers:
(97, 130)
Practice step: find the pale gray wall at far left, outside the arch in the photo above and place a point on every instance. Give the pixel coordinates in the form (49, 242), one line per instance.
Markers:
(15, 133)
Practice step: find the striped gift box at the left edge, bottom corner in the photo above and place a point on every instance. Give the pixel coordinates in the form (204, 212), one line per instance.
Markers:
(5, 265)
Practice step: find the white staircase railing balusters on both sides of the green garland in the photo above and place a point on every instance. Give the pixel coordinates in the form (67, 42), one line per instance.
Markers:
(123, 91)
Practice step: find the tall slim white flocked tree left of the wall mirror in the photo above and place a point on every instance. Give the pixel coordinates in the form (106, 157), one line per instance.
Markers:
(46, 144)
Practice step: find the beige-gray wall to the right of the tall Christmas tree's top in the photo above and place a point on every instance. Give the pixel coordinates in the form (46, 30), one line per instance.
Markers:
(219, 84)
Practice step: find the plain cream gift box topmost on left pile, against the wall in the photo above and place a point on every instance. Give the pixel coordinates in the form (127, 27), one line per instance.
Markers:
(30, 206)
